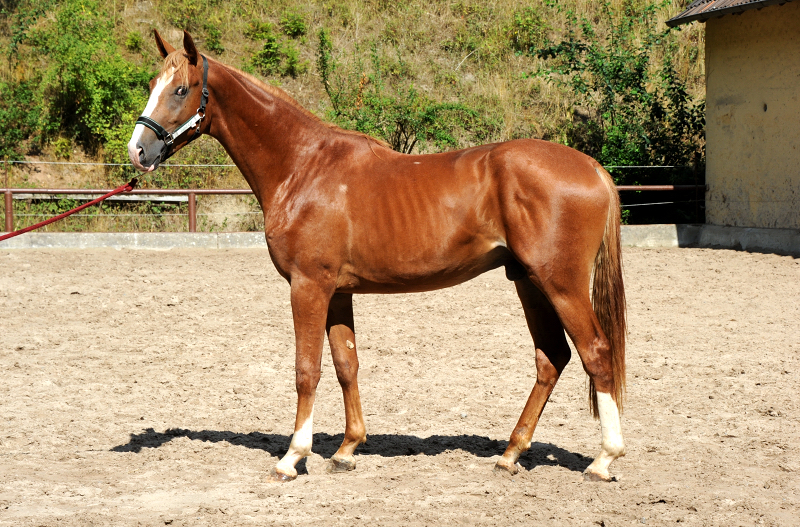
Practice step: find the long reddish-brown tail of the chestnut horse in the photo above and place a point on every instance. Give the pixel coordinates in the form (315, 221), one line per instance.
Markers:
(608, 296)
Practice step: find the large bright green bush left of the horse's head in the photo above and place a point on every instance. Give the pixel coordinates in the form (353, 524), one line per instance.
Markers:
(84, 90)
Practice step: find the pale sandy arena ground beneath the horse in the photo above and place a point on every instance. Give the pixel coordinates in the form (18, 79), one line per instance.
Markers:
(157, 388)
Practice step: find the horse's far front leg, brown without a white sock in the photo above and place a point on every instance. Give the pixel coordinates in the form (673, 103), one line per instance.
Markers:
(341, 335)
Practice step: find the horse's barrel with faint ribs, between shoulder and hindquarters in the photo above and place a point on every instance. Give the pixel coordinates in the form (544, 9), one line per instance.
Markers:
(421, 222)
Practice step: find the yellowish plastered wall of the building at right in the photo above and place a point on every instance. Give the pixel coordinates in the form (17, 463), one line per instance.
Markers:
(753, 118)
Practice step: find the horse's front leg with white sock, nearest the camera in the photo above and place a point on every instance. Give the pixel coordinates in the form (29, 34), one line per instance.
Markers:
(309, 310)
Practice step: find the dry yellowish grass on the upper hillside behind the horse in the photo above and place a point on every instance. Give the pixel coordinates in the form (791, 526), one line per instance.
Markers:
(422, 34)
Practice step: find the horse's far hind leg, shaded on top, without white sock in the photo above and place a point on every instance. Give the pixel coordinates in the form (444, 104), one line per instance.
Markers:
(552, 355)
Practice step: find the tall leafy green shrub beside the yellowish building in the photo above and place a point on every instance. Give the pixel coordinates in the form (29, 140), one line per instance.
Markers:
(639, 112)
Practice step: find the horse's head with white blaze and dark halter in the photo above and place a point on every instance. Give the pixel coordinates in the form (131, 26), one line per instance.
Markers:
(176, 108)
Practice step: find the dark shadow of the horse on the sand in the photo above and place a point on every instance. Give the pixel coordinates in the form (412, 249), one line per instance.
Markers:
(386, 445)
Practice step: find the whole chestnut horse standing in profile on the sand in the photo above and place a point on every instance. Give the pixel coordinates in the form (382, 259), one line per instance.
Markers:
(345, 214)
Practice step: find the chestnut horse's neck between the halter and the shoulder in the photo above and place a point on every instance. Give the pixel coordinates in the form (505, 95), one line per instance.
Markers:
(264, 134)
